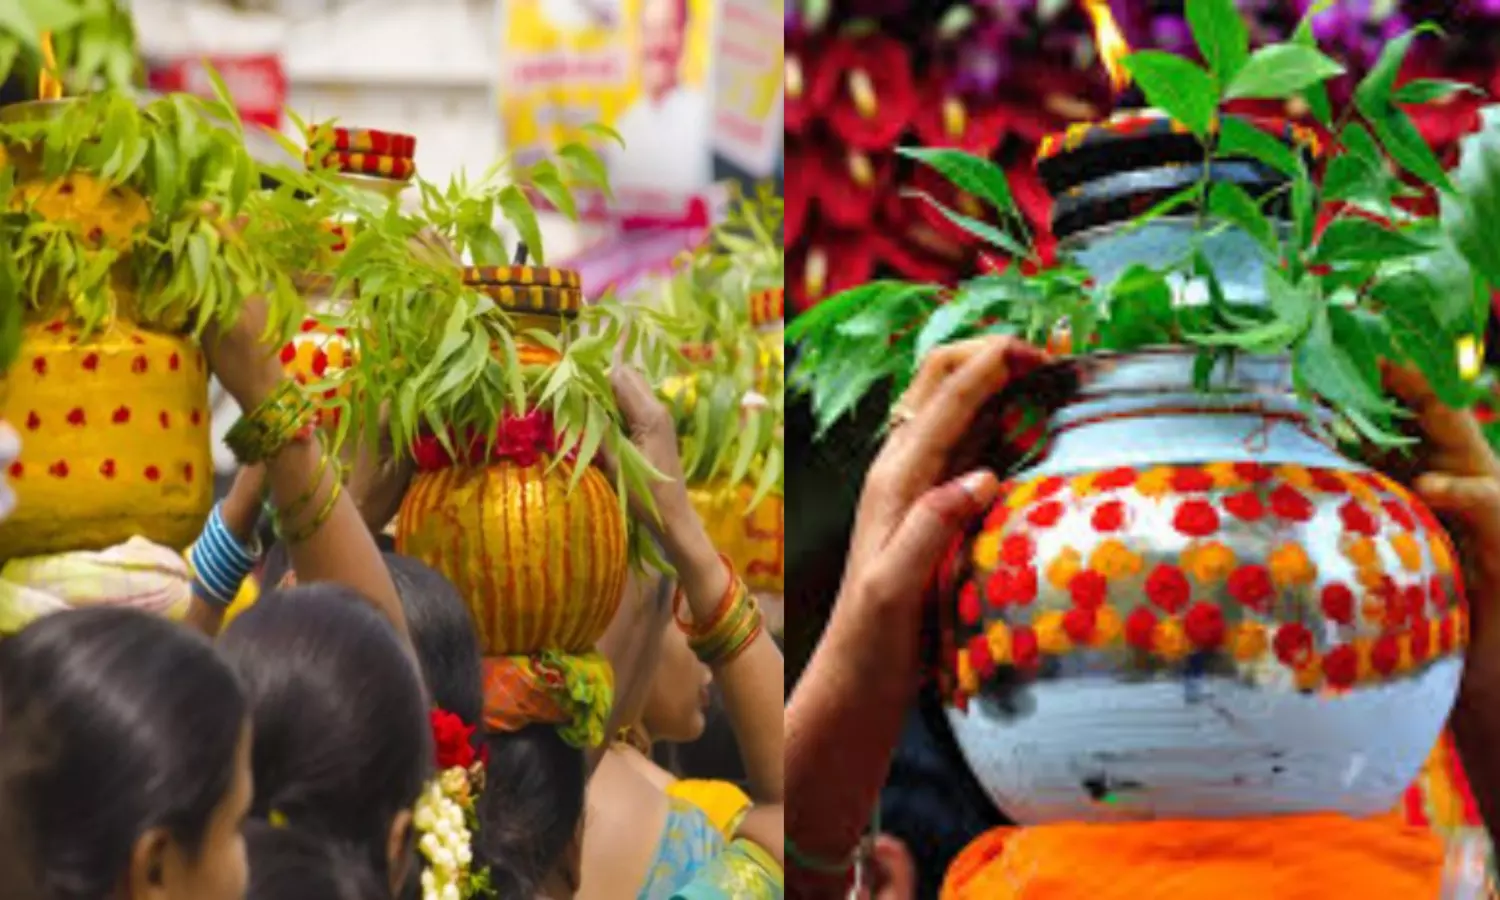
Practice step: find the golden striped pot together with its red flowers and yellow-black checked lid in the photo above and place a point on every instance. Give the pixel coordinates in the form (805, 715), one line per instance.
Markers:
(541, 566)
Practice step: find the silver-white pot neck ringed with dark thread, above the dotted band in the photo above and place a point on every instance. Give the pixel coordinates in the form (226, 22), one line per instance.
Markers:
(1144, 410)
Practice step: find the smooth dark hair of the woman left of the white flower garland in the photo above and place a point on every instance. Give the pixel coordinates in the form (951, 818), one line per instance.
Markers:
(343, 742)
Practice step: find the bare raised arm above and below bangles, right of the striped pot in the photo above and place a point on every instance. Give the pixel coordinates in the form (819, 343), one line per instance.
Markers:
(754, 682)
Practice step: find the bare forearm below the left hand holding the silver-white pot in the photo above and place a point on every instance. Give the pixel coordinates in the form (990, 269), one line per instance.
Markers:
(842, 727)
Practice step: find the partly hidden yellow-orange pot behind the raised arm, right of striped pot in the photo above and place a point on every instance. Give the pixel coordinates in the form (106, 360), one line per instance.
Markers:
(755, 542)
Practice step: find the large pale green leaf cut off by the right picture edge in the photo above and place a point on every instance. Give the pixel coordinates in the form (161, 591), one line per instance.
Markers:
(1474, 217)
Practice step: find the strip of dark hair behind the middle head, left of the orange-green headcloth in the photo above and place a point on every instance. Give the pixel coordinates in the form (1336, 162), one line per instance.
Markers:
(443, 634)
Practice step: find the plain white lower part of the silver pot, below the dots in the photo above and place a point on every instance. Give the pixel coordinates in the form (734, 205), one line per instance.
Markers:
(1097, 748)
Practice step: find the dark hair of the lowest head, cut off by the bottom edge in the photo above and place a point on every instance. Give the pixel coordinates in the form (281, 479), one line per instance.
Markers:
(292, 865)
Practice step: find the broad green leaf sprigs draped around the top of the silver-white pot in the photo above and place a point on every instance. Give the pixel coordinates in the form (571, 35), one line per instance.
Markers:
(1384, 256)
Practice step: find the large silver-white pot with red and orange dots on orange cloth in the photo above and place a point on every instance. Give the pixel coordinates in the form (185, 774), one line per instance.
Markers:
(1192, 607)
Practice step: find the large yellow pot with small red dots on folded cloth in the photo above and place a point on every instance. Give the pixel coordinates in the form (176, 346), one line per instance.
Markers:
(116, 440)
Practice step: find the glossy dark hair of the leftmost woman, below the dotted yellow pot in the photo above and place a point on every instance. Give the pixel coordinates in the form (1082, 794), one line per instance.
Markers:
(113, 722)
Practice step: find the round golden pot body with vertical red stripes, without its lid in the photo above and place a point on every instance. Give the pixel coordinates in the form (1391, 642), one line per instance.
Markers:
(542, 568)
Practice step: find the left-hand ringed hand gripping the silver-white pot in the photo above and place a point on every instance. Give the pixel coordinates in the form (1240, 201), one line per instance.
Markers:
(908, 512)
